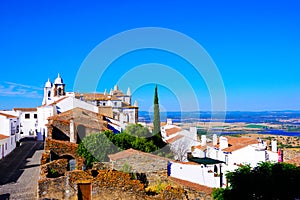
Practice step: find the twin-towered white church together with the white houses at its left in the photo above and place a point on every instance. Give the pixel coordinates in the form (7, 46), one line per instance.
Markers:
(115, 107)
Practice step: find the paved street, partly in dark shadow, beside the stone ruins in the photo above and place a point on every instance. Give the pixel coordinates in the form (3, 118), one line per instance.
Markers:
(19, 172)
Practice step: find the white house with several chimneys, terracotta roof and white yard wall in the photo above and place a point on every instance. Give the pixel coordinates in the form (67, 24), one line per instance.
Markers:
(212, 160)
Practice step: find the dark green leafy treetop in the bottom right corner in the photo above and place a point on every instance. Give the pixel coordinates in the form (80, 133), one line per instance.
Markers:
(266, 181)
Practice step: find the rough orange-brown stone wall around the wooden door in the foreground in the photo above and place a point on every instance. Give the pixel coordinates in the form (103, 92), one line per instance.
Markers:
(105, 185)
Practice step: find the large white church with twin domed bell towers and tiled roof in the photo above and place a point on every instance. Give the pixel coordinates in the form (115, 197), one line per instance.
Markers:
(115, 106)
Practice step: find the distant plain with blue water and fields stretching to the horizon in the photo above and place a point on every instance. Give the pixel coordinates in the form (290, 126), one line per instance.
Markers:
(235, 122)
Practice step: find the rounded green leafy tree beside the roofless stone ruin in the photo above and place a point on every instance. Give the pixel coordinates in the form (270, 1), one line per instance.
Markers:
(96, 147)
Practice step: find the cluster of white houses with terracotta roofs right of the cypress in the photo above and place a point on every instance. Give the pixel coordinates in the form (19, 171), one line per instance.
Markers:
(206, 161)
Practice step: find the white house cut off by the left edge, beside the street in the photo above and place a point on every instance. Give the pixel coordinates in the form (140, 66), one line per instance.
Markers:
(9, 130)
